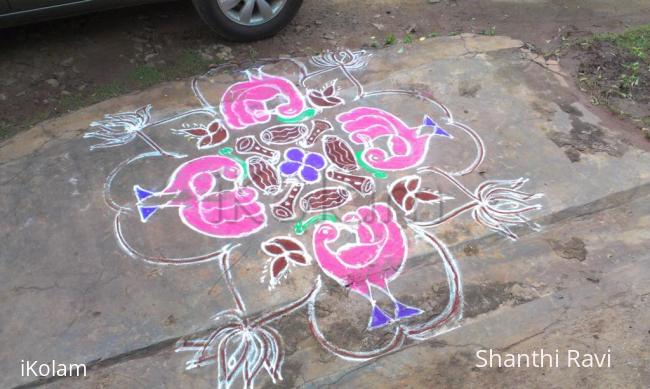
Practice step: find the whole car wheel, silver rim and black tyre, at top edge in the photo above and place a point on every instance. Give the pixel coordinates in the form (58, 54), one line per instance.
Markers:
(247, 20)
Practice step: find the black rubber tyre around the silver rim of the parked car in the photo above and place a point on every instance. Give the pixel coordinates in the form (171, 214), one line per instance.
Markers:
(215, 17)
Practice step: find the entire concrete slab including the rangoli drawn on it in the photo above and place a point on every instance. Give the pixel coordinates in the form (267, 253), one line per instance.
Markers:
(114, 257)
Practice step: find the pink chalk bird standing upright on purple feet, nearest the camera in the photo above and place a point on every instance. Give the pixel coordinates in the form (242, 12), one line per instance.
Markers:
(374, 260)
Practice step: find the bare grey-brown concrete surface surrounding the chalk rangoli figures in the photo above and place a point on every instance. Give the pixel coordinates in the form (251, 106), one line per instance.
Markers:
(70, 292)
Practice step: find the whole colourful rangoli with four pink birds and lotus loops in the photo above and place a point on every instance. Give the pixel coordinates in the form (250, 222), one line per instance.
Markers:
(316, 171)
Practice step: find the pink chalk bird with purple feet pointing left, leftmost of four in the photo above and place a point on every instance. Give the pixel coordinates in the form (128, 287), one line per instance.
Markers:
(202, 205)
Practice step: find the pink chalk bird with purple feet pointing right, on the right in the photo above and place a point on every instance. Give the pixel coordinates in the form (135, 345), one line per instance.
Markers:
(408, 147)
